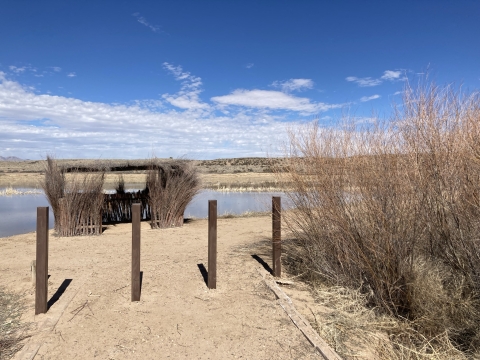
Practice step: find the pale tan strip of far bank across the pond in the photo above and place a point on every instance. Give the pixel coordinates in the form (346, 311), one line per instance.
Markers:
(136, 180)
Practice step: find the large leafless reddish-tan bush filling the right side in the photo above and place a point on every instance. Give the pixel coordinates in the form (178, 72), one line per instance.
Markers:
(393, 209)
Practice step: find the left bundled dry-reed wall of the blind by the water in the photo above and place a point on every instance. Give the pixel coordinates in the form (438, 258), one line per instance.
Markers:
(76, 203)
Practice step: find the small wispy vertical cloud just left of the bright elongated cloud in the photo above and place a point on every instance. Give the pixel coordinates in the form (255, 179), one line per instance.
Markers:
(188, 96)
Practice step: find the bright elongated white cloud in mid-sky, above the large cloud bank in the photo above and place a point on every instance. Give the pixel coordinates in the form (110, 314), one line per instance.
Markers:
(275, 100)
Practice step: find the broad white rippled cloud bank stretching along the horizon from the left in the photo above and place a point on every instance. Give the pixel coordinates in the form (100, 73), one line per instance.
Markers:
(35, 125)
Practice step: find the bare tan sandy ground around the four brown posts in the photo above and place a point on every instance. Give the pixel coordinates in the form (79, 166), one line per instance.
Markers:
(178, 317)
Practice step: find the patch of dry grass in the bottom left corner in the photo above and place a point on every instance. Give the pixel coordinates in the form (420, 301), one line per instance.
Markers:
(12, 329)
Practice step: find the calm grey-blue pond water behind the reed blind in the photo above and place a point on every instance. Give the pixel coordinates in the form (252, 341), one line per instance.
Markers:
(18, 213)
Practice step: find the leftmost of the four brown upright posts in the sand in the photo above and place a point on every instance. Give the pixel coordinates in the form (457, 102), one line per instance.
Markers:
(41, 278)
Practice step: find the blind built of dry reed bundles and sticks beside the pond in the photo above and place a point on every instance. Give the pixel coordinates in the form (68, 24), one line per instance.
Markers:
(80, 205)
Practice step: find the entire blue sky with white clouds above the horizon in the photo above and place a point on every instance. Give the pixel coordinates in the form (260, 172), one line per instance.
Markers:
(213, 79)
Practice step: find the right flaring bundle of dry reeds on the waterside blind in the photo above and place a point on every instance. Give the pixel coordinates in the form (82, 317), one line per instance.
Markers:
(171, 186)
